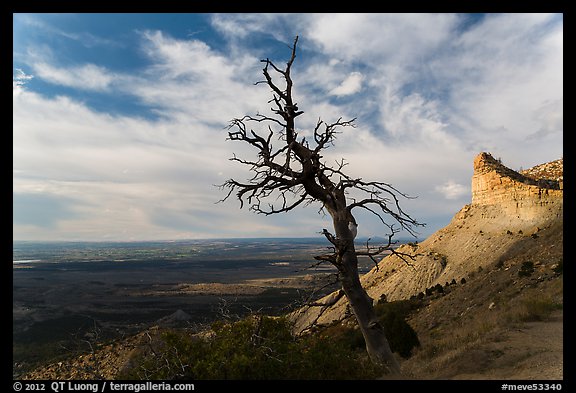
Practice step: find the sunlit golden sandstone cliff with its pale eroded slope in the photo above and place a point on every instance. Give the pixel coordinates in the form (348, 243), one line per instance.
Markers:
(508, 210)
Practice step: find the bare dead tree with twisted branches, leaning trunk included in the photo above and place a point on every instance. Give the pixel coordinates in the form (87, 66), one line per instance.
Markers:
(289, 171)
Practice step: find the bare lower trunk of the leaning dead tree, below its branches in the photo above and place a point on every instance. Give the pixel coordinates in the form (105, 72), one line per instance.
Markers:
(362, 305)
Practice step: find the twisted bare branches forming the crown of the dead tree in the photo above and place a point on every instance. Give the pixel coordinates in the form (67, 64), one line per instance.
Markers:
(294, 173)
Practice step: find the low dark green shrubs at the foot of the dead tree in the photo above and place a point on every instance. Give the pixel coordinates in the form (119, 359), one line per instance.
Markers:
(257, 347)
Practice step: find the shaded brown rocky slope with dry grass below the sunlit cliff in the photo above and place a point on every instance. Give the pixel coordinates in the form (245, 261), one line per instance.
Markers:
(505, 322)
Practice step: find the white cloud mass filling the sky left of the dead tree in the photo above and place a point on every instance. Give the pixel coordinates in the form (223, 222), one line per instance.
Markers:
(131, 174)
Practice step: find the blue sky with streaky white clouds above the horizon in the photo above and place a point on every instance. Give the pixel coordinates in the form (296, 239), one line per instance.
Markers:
(119, 119)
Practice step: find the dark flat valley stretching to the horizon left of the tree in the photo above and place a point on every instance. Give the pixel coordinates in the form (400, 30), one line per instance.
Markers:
(64, 292)
